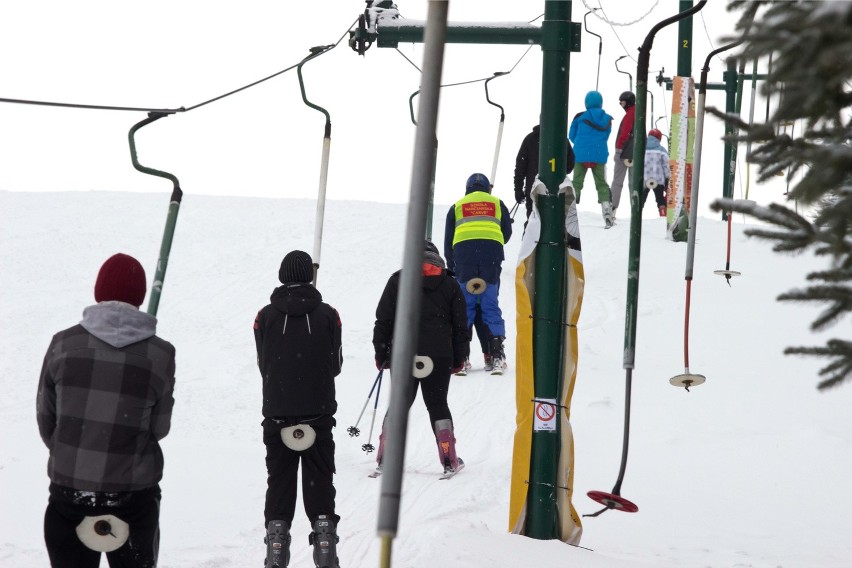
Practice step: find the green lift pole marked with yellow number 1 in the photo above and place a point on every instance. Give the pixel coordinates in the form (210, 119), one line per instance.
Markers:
(548, 332)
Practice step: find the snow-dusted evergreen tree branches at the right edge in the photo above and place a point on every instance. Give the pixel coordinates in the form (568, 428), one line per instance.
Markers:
(810, 45)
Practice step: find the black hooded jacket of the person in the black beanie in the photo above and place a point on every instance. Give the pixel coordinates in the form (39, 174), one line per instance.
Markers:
(299, 352)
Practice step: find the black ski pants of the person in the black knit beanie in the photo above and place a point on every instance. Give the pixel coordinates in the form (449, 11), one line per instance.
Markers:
(282, 467)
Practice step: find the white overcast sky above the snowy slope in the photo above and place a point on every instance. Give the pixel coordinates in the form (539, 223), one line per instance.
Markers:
(265, 141)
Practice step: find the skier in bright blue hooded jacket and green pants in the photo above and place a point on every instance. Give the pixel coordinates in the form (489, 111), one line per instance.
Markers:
(589, 133)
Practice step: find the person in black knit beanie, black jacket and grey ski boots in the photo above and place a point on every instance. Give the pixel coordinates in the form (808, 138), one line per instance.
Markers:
(299, 353)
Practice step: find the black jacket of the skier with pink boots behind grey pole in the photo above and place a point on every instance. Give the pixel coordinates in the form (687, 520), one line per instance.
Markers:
(443, 319)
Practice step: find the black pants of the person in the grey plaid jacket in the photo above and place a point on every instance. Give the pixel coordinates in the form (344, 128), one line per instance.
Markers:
(67, 507)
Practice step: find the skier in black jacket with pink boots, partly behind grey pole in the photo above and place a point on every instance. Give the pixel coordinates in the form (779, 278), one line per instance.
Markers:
(442, 347)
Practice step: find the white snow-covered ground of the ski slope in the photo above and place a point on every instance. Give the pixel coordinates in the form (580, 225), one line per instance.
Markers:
(750, 469)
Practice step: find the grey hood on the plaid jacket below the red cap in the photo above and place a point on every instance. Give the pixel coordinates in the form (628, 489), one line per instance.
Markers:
(118, 324)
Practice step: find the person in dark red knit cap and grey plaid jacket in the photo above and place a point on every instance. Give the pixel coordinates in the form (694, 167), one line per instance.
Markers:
(104, 401)
